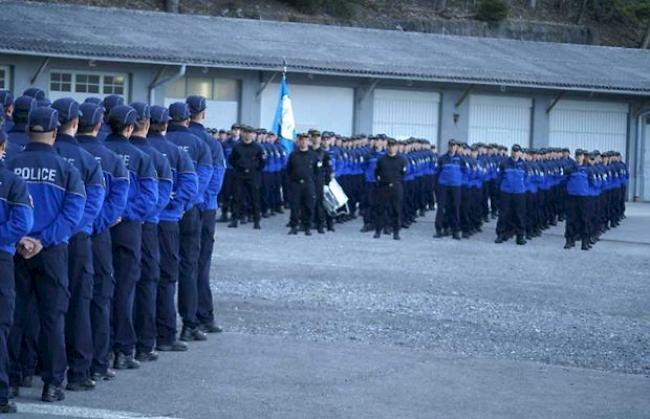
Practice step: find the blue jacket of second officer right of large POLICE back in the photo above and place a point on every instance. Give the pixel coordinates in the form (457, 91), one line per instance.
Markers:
(116, 182)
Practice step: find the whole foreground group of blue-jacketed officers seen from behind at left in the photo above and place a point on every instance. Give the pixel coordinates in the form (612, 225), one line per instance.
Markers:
(105, 213)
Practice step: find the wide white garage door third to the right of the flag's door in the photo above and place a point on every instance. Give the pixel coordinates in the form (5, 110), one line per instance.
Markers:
(589, 125)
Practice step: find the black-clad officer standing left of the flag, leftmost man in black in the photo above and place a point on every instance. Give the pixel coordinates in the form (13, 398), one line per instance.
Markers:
(247, 160)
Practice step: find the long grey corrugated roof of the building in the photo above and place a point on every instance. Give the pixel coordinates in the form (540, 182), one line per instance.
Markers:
(154, 37)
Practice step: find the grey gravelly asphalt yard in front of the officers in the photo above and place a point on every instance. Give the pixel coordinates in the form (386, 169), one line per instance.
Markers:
(345, 326)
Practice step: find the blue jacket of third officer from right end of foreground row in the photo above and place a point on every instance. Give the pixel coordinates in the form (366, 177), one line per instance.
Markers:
(185, 182)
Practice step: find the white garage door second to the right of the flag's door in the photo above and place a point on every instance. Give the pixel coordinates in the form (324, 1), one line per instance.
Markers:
(500, 119)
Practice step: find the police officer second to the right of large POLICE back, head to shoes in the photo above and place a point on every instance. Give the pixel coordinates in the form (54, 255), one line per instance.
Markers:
(116, 181)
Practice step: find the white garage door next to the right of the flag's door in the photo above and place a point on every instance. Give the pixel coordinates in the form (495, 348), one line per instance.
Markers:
(403, 113)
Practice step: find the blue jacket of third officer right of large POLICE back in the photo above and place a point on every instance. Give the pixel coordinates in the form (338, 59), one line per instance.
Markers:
(143, 183)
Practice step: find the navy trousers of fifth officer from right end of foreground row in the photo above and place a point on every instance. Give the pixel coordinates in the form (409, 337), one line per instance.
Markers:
(127, 247)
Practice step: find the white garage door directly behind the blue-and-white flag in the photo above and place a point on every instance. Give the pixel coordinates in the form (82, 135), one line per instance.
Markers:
(319, 107)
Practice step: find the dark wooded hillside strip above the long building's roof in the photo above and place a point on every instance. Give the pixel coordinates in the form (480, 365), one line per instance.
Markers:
(603, 22)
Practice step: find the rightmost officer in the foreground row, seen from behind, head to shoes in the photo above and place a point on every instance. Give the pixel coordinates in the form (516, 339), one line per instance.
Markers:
(208, 213)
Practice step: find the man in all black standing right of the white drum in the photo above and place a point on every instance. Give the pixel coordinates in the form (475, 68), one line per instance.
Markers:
(390, 172)
